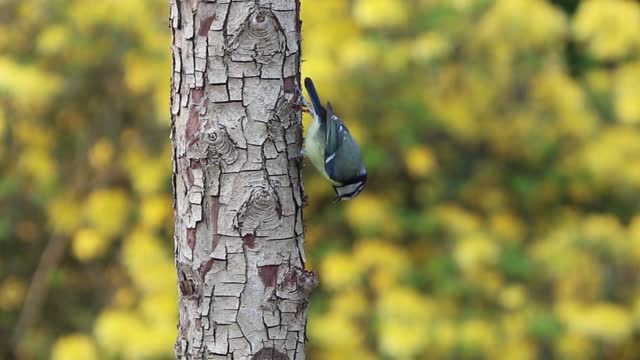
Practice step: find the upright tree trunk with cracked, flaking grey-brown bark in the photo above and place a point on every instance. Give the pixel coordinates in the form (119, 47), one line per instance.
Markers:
(236, 134)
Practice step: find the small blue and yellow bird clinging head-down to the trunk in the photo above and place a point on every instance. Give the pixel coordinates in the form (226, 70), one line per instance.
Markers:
(332, 150)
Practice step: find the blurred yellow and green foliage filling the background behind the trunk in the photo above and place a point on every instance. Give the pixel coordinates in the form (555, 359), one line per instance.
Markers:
(501, 217)
